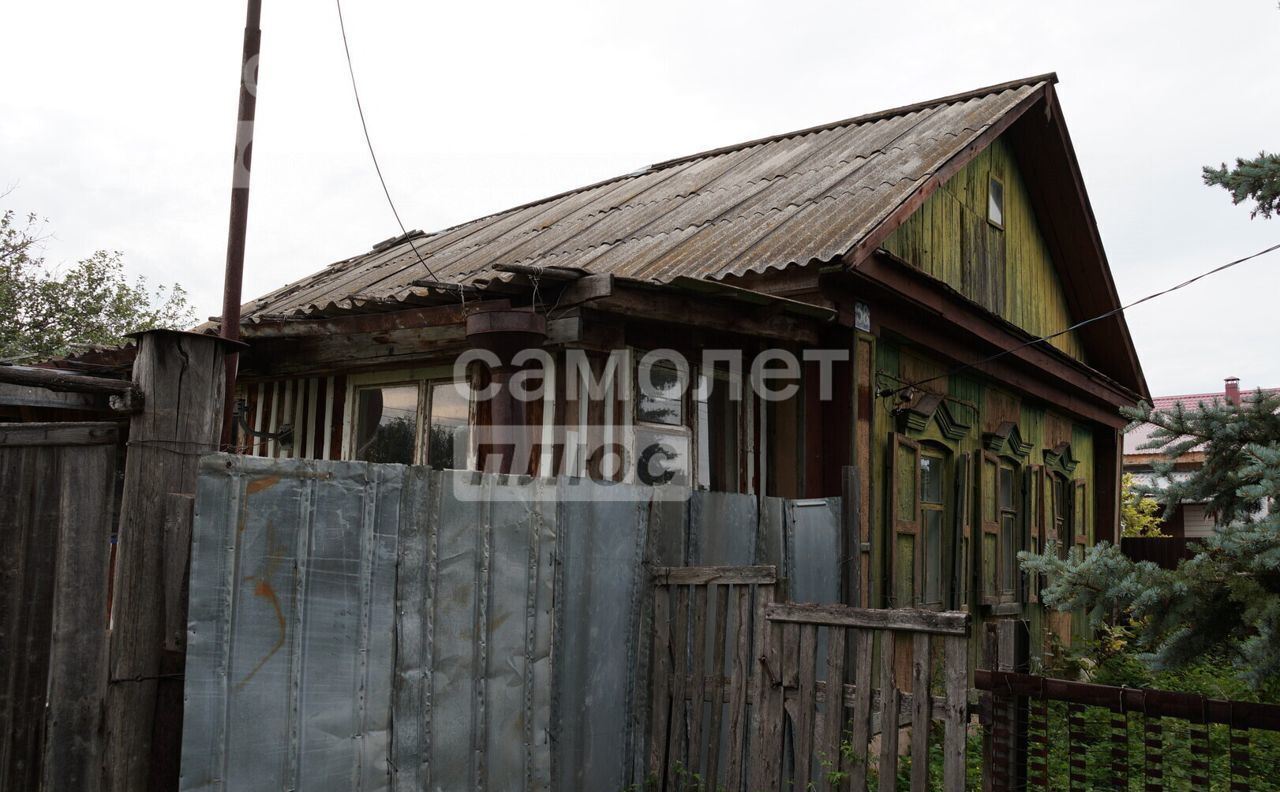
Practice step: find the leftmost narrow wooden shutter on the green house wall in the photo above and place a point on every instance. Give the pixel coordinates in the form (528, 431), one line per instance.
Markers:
(906, 580)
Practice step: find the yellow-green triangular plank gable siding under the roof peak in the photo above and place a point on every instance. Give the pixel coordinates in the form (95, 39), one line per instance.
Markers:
(1009, 271)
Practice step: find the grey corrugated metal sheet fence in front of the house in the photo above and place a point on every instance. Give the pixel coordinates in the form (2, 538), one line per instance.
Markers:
(363, 626)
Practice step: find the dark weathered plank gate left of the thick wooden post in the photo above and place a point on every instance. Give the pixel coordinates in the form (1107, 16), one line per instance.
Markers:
(57, 492)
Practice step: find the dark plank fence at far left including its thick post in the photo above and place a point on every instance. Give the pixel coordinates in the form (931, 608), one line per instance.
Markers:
(88, 702)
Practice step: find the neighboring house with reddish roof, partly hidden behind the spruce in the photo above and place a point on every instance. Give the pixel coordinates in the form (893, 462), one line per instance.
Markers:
(1187, 520)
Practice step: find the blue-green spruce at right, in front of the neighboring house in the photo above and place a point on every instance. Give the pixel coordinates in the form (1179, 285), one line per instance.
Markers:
(1227, 598)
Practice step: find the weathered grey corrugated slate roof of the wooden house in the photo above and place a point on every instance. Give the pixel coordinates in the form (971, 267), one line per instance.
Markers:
(769, 204)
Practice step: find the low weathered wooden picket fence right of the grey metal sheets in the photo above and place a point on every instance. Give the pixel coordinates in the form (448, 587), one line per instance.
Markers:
(755, 694)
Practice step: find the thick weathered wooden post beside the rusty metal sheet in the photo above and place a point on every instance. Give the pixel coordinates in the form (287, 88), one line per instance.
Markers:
(181, 377)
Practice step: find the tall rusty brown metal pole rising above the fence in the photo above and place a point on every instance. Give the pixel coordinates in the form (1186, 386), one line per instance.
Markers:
(240, 208)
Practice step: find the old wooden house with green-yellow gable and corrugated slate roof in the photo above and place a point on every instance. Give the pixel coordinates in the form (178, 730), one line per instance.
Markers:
(921, 242)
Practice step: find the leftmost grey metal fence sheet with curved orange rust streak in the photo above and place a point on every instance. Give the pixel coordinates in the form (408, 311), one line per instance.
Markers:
(290, 638)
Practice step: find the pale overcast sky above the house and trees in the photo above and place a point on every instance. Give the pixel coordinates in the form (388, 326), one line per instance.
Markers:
(117, 123)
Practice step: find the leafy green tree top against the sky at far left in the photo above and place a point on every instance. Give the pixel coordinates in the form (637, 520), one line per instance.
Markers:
(51, 313)
